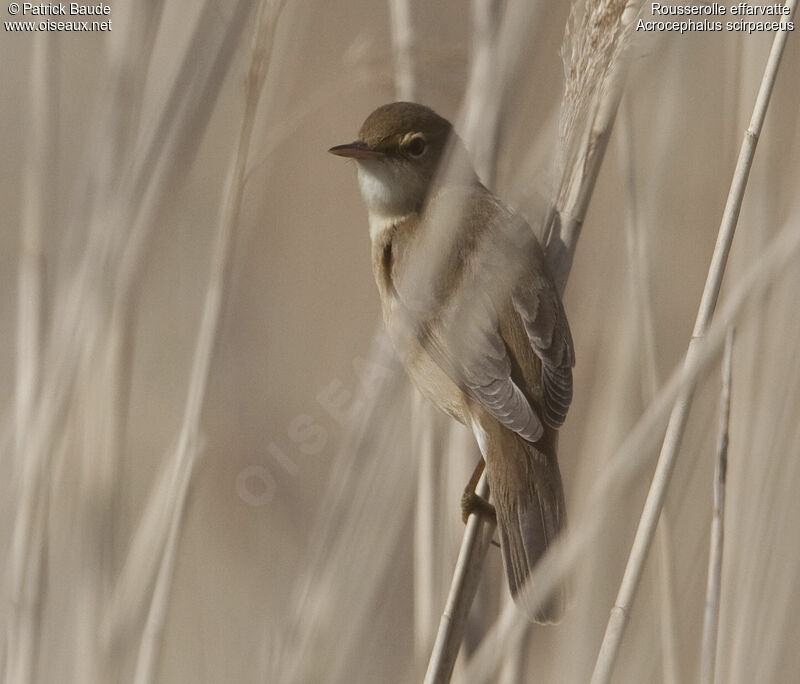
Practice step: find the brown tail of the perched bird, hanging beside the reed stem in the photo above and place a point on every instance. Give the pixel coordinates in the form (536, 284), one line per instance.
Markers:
(526, 489)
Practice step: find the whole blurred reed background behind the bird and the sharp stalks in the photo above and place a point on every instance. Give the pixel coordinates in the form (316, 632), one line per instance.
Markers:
(215, 472)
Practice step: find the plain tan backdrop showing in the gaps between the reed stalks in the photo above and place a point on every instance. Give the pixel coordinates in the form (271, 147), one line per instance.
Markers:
(301, 307)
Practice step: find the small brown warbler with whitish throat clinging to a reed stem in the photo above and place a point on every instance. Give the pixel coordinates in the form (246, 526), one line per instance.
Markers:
(475, 316)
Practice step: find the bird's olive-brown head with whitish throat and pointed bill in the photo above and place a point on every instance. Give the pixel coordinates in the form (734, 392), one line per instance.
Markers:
(397, 153)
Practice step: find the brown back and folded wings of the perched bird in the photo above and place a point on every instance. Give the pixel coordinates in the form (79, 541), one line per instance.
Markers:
(503, 269)
